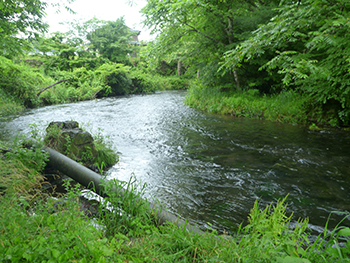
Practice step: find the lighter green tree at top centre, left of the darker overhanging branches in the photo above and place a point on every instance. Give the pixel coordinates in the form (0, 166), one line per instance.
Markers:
(199, 32)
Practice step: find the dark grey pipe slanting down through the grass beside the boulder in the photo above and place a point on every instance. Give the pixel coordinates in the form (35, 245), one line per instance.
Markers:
(92, 181)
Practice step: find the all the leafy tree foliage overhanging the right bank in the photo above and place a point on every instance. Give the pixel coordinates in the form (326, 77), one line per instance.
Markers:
(271, 46)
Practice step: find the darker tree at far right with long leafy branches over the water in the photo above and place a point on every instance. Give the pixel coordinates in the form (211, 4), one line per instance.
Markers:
(307, 44)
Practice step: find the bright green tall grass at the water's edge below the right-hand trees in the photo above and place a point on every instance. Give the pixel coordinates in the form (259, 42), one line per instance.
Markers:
(287, 106)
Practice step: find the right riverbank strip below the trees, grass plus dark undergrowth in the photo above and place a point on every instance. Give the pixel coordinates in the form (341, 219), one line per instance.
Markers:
(285, 107)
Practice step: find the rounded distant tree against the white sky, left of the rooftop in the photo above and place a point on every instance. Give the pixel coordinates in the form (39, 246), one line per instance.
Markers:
(112, 40)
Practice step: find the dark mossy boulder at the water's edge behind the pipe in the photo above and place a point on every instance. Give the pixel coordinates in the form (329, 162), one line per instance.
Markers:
(67, 138)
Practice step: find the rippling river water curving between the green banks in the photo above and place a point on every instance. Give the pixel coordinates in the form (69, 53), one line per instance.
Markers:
(208, 168)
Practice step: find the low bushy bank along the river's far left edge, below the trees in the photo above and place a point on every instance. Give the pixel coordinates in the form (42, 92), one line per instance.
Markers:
(23, 85)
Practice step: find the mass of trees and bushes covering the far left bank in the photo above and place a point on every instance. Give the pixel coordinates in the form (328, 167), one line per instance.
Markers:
(93, 59)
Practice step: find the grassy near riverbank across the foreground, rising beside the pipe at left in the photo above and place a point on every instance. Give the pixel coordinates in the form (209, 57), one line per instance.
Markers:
(36, 227)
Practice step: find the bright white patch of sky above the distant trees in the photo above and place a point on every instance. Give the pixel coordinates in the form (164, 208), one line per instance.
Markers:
(108, 10)
